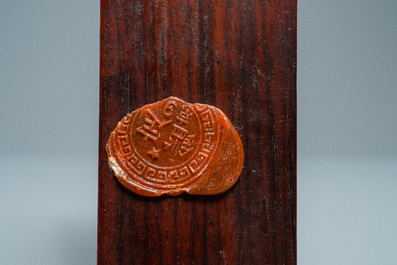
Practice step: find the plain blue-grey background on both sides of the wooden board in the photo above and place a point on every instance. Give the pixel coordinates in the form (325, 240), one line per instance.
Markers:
(347, 149)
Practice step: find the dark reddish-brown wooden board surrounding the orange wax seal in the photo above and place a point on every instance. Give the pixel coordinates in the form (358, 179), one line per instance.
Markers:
(239, 56)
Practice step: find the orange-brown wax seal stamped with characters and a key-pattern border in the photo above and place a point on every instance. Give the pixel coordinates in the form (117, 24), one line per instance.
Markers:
(171, 147)
